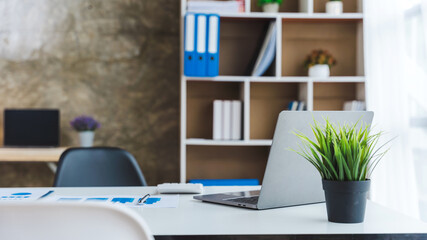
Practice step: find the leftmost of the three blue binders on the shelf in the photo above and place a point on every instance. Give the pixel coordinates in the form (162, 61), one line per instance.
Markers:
(190, 44)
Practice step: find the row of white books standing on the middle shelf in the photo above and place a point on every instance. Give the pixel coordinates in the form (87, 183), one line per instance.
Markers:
(227, 120)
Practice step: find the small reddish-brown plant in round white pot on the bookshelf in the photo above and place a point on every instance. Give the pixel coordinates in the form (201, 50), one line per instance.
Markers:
(319, 63)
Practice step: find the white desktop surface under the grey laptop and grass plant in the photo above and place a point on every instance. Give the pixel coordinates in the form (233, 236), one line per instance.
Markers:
(193, 217)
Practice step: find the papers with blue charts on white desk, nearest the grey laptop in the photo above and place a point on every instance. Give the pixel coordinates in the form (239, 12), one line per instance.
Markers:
(154, 201)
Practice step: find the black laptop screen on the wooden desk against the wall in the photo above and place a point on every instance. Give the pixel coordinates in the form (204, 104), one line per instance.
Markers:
(31, 127)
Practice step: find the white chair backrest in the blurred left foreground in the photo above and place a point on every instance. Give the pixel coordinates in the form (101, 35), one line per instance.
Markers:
(71, 221)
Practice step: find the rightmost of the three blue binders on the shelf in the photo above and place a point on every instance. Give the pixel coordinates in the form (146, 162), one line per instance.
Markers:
(213, 45)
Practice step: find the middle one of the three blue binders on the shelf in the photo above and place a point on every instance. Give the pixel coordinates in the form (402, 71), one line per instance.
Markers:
(201, 45)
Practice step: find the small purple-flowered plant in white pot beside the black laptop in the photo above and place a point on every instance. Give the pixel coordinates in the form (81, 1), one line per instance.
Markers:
(86, 127)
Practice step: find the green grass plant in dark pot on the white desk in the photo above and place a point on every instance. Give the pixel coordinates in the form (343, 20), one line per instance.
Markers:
(345, 156)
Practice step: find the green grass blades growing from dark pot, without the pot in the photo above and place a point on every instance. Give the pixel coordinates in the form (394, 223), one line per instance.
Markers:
(342, 153)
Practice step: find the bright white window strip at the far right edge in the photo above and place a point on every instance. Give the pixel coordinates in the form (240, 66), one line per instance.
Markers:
(416, 69)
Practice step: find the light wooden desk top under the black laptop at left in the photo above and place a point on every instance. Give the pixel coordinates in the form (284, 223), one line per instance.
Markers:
(31, 154)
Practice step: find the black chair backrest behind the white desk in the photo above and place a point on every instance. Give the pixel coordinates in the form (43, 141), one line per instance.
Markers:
(98, 167)
